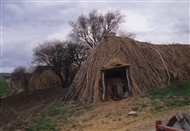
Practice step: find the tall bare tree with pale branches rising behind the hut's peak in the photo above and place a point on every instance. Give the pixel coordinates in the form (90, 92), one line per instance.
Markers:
(93, 28)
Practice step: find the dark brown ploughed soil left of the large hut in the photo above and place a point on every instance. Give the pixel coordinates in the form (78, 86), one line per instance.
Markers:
(18, 110)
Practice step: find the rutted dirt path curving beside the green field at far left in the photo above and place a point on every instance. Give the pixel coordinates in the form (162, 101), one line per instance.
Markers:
(12, 89)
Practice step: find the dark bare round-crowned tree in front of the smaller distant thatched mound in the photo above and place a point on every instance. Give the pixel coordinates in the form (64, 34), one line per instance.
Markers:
(52, 54)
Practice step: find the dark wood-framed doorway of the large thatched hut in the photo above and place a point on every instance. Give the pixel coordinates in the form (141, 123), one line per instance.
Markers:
(115, 82)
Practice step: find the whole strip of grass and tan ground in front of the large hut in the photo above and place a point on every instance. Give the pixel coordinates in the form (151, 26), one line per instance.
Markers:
(154, 102)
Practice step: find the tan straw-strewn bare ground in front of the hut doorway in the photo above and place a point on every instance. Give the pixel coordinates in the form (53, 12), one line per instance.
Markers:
(113, 116)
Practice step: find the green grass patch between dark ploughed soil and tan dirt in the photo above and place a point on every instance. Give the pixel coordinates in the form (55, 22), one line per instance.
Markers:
(59, 114)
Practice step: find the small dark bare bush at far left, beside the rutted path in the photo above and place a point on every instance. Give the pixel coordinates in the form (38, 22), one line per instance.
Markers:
(20, 75)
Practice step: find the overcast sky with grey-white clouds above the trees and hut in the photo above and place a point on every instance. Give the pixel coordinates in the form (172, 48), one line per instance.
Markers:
(27, 23)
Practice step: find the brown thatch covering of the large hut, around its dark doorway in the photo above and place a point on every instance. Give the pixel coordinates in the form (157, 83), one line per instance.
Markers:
(150, 66)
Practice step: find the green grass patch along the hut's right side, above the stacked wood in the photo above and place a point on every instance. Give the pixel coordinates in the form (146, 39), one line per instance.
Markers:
(178, 94)
